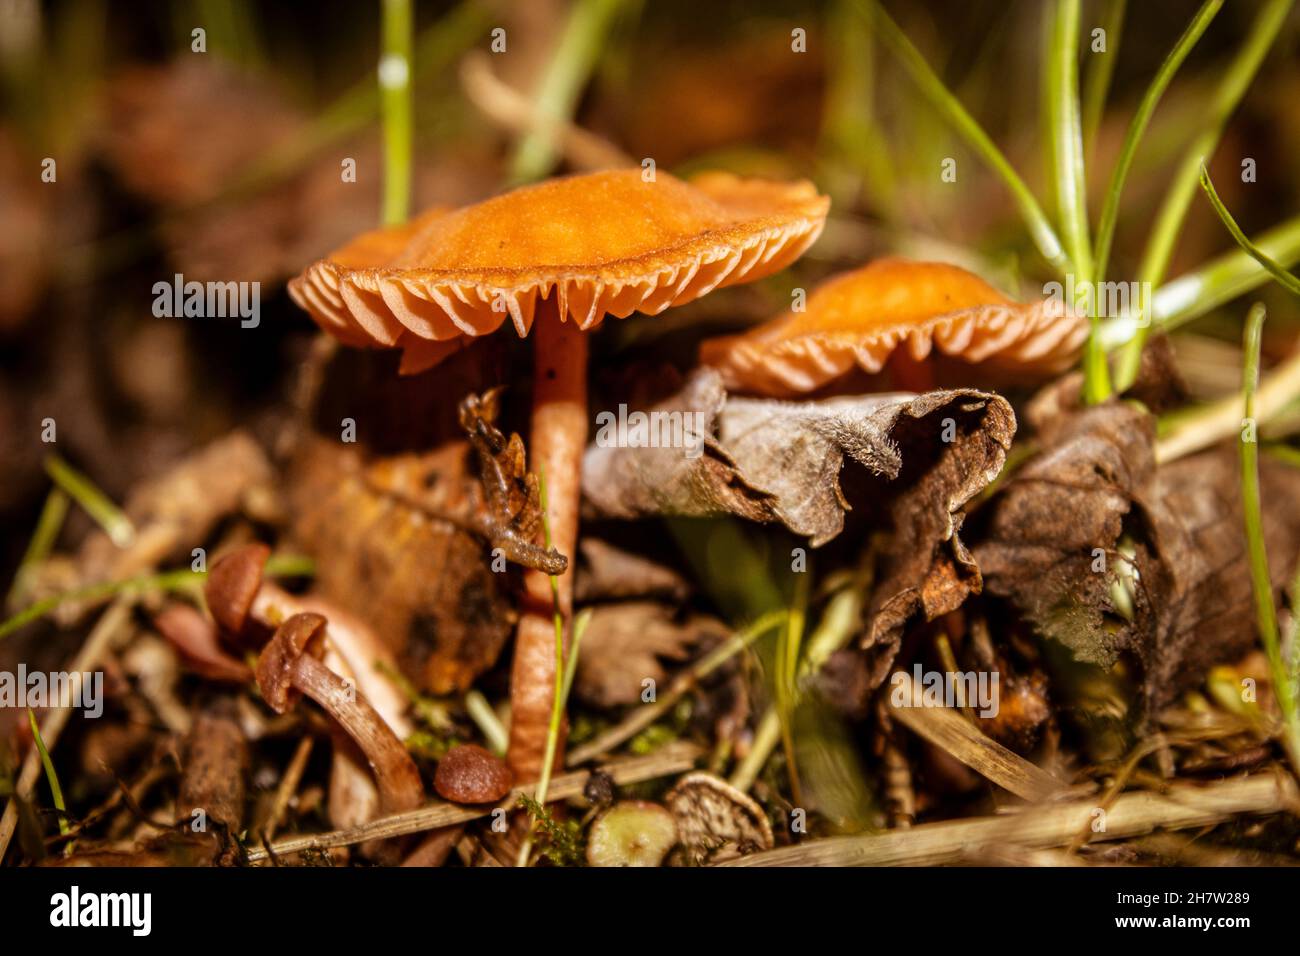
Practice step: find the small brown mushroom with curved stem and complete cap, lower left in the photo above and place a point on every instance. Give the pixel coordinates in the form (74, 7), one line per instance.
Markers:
(291, 667)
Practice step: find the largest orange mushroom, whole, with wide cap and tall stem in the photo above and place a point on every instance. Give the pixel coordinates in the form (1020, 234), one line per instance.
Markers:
(562, 256)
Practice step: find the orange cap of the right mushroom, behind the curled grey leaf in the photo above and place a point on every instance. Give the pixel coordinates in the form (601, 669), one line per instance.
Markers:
(861, 318)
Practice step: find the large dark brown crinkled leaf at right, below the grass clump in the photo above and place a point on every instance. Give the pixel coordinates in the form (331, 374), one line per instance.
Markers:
(1093, 514)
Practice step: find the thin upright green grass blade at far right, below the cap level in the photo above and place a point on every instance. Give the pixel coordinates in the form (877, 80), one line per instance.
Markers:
(1266, 612)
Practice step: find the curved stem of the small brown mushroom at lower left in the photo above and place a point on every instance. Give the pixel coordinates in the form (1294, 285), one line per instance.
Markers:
(395, 771)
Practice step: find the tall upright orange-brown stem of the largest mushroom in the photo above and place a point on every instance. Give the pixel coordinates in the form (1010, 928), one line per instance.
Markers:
(558, 440)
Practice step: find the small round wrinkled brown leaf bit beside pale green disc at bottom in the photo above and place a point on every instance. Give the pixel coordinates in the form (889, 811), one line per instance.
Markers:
(716, 821)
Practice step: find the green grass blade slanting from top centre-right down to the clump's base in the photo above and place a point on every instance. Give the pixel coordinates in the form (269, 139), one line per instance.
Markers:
(933, 88)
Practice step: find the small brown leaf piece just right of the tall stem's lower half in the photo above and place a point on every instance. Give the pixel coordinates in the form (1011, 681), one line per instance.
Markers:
(625, 644)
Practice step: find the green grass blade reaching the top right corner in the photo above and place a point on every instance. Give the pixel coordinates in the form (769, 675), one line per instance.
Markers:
(1169, 220)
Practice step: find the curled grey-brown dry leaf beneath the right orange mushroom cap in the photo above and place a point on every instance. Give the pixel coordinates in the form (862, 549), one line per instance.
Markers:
(925, 458)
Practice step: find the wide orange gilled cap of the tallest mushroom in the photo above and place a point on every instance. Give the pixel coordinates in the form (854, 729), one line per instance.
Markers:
(596, 245)
